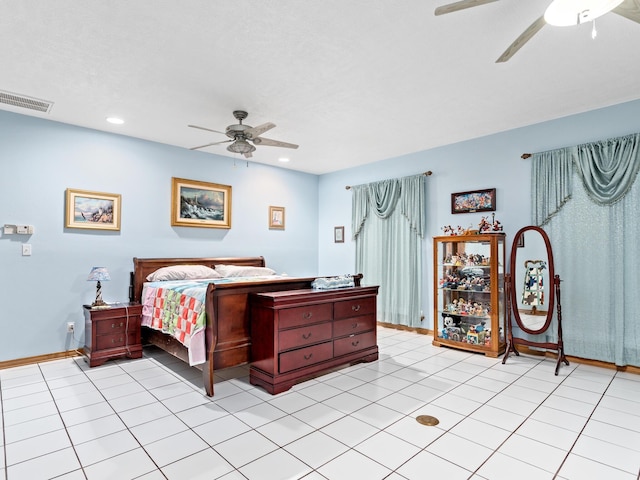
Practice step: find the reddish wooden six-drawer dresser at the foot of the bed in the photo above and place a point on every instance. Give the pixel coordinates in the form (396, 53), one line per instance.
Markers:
(299, 334)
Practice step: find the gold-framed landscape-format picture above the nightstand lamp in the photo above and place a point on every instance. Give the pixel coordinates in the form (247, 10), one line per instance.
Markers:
(92, 210)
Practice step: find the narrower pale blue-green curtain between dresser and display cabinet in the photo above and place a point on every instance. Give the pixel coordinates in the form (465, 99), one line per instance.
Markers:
(388, 219)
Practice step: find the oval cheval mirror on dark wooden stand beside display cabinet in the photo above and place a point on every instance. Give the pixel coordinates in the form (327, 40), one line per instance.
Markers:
(532, 291)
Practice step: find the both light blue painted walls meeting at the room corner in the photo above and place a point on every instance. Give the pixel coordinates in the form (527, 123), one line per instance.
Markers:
(40, 159)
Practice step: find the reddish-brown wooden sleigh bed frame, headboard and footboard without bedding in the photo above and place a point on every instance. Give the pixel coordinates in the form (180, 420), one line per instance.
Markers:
(227, 332)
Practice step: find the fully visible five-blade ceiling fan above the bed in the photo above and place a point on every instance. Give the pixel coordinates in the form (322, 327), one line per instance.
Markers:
(240, 135)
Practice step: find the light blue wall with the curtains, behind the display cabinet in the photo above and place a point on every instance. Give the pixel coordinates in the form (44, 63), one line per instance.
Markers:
(487, 162)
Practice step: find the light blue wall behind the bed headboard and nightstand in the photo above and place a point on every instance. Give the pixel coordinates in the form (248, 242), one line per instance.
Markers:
(40, 159)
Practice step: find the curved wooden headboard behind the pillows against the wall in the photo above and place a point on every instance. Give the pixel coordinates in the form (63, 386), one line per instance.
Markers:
(144, 266)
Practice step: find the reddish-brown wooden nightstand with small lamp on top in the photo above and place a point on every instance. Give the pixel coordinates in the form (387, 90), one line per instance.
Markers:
(112, 332)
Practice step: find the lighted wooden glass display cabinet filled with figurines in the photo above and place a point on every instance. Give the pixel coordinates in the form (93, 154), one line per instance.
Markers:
(469, 303)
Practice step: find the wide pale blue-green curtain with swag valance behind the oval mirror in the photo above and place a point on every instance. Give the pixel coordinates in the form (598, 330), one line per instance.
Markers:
(588, 201)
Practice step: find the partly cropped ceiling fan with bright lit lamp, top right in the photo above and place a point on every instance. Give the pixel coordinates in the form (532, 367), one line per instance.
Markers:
(559, 13)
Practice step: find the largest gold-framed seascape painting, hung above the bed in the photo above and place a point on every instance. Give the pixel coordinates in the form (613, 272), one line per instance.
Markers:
(200, 204)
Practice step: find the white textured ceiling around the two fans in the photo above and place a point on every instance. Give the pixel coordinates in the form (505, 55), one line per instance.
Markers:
(350, 81)
